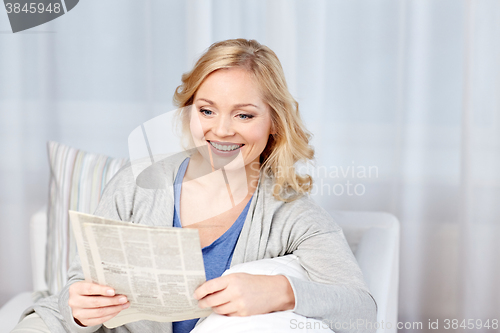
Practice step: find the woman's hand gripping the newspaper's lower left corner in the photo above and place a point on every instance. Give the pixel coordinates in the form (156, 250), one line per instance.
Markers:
(93, 304)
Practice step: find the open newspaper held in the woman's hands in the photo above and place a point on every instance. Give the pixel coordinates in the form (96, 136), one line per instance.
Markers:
(157, 268)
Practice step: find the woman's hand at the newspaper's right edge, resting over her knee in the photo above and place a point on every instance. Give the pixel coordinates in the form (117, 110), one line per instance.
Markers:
(242, 294)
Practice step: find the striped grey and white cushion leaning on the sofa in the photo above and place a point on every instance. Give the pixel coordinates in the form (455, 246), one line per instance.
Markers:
(77, 180)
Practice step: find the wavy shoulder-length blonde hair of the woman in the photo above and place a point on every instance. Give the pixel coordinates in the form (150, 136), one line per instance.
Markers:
(290, 144)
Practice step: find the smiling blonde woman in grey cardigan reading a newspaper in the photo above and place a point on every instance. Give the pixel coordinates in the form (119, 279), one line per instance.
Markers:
(243, 123)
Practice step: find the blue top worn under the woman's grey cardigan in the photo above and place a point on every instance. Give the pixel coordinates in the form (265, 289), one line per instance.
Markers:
(216, 256)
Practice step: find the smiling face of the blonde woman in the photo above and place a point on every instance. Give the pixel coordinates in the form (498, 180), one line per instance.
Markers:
(230, 116)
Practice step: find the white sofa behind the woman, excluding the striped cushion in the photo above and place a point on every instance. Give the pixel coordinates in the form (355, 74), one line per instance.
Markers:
(373, 237)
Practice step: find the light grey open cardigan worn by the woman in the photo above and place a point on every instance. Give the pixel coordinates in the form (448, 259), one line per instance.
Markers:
(336, 292)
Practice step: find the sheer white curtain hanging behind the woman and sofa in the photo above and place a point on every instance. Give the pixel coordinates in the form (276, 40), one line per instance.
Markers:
(402, 98)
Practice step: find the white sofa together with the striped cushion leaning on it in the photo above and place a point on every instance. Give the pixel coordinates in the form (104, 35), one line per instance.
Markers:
(372, 236)
